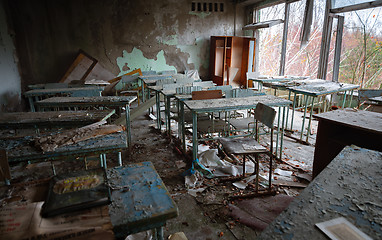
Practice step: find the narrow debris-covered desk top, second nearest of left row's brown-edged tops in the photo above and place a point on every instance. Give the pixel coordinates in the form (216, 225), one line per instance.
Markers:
(90, 101)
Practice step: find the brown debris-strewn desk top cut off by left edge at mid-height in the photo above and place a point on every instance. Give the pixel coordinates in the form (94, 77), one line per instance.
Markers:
(53, 119)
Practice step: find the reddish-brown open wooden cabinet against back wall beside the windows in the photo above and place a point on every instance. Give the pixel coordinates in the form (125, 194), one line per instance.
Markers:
(230, 59)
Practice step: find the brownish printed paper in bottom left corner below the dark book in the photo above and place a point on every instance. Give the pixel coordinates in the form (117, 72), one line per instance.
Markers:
(25, 222)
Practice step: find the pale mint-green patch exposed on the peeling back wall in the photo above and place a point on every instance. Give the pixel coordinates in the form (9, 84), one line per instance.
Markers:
(135, 59)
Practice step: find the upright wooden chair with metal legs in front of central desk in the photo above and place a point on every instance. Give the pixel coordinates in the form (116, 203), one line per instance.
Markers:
(248, 146)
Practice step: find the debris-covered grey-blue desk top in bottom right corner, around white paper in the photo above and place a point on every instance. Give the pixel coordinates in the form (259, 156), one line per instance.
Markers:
(349, 187)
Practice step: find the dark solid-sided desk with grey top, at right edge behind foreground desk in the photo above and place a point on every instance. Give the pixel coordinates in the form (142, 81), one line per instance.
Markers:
(339, 128)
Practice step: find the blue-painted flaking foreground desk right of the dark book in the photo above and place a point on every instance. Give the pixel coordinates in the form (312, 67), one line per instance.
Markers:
(140, 200)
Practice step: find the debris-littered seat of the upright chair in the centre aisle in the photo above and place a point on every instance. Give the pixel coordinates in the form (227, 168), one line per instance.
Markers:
(242, 146)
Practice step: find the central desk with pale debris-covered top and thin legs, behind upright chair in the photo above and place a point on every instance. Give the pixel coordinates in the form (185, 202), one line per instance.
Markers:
(231, 104)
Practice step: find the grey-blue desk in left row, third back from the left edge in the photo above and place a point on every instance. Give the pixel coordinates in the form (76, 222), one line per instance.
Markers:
(36, 94)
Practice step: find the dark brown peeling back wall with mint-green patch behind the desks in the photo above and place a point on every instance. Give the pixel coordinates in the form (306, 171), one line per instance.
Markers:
(122, 35)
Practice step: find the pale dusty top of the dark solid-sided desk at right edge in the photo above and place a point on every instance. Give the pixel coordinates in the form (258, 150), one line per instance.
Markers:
(365, 120)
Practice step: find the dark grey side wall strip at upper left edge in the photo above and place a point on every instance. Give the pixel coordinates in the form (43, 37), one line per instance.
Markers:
(10, 89)
